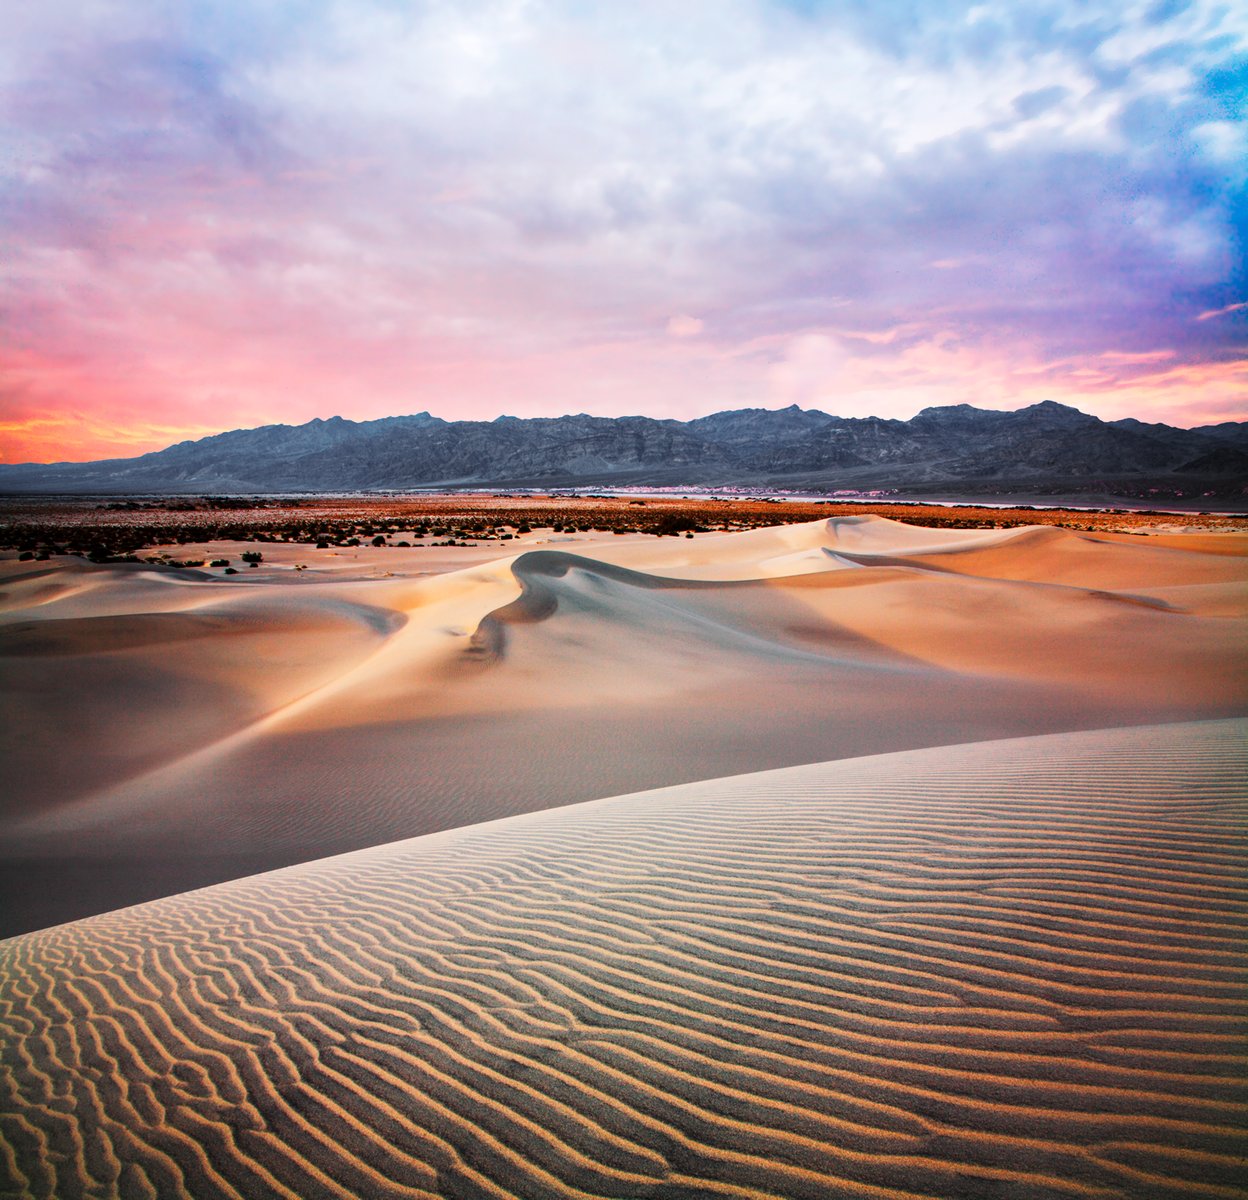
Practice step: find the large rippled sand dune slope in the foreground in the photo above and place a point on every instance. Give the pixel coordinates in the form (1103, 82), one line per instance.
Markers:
(1003, 970)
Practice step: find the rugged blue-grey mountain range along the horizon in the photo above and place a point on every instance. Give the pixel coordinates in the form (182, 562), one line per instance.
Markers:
(1045, 447)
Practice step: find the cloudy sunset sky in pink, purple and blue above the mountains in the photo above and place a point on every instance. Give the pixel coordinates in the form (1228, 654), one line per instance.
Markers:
(223, 214)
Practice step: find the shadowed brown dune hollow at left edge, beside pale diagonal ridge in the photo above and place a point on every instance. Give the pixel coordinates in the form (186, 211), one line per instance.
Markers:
(95, 700)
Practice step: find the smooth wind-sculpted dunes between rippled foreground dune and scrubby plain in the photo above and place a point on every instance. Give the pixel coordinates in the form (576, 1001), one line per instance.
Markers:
(168, 729)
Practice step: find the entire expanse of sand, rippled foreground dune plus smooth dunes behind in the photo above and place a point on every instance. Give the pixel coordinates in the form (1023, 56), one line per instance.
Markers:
(942, 893)
